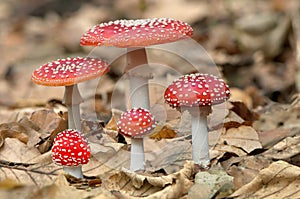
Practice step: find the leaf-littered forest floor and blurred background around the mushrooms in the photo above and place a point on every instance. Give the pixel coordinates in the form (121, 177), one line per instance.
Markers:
(254, 137)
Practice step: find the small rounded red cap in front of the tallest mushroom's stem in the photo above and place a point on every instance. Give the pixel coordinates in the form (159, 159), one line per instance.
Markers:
(136, 123)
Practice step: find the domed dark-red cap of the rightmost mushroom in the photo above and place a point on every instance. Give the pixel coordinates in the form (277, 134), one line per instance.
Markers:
(196, 90)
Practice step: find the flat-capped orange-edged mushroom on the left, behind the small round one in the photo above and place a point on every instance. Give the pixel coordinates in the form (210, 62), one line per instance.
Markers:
(68, 72)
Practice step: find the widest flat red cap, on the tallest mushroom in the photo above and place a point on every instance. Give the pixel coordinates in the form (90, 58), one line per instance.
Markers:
(136, 33)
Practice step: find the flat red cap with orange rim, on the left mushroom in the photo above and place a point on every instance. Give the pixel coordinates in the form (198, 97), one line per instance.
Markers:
(69, 71)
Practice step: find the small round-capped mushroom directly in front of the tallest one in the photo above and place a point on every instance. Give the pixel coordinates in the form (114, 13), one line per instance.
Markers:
(136, 123)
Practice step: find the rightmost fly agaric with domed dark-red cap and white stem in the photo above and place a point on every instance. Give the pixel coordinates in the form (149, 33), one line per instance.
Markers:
(197, 93)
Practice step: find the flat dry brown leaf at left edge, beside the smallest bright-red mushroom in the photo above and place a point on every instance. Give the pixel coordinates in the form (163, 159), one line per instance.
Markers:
(19, 162)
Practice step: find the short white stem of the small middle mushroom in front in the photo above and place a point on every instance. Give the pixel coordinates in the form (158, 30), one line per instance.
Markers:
(137, 156)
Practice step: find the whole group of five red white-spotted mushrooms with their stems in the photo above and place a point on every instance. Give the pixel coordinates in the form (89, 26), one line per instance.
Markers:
(195, 93)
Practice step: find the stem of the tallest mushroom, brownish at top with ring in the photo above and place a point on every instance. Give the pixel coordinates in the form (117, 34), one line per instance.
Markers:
(138, 74)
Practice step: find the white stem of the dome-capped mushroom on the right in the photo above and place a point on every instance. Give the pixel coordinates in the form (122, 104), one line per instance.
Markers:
(200, 146)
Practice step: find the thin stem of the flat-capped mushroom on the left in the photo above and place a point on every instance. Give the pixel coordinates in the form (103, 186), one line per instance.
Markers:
(72, 100)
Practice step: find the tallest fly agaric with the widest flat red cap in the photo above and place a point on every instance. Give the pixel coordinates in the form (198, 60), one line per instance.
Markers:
(135, 35)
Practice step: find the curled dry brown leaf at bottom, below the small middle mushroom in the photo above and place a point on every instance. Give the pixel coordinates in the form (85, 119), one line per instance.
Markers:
(142, 185)
